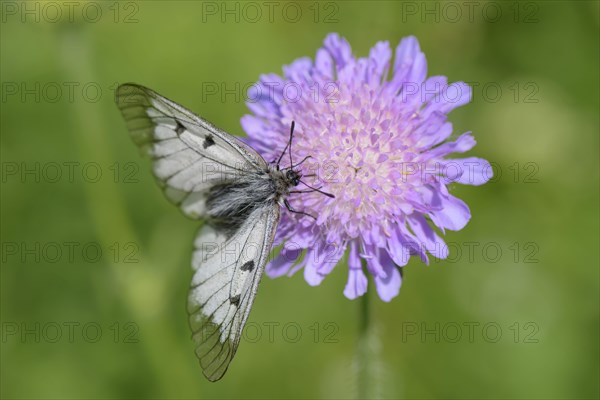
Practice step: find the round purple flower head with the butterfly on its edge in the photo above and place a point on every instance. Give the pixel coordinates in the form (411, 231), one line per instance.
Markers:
(379, 146)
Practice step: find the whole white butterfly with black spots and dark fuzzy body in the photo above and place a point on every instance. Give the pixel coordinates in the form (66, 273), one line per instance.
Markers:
(212, 175)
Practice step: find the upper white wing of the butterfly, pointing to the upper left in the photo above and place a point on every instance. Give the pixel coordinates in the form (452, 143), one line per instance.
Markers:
(190, 154)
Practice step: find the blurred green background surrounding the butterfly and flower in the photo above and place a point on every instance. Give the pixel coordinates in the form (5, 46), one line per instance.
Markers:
(522, 323)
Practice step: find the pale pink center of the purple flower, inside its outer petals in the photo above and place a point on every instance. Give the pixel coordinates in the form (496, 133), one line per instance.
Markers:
(356, 150)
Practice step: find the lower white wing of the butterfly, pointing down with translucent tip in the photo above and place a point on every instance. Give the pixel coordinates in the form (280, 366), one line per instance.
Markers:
(227, 273)
